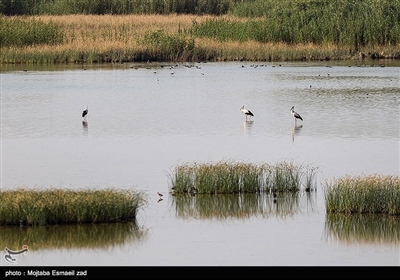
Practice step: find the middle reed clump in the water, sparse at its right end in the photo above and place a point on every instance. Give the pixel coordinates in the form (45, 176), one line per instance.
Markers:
(233, 177)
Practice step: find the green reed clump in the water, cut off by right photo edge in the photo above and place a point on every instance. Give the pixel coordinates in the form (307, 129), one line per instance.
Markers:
(364, 194)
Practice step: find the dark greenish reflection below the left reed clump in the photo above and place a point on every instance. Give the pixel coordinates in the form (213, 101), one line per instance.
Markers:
(72, 236)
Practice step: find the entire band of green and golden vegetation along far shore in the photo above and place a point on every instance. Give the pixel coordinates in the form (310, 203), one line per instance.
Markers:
(54, 31)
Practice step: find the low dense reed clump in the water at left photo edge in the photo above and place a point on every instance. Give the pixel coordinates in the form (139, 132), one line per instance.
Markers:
(63, 206)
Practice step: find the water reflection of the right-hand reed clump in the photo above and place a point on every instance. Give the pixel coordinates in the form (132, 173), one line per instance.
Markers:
(363, 228)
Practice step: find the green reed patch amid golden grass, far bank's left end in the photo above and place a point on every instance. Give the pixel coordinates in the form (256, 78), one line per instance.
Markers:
(20, 32)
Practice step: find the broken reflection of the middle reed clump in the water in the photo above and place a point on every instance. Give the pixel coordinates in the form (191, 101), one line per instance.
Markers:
(243, 206)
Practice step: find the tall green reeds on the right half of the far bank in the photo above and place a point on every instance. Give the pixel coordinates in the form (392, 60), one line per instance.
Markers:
(350, 23)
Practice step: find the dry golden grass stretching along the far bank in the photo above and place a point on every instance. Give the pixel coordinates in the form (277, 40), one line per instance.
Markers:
(111, 38)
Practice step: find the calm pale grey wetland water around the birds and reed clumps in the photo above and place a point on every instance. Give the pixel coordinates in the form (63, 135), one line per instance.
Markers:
(146, 119)
